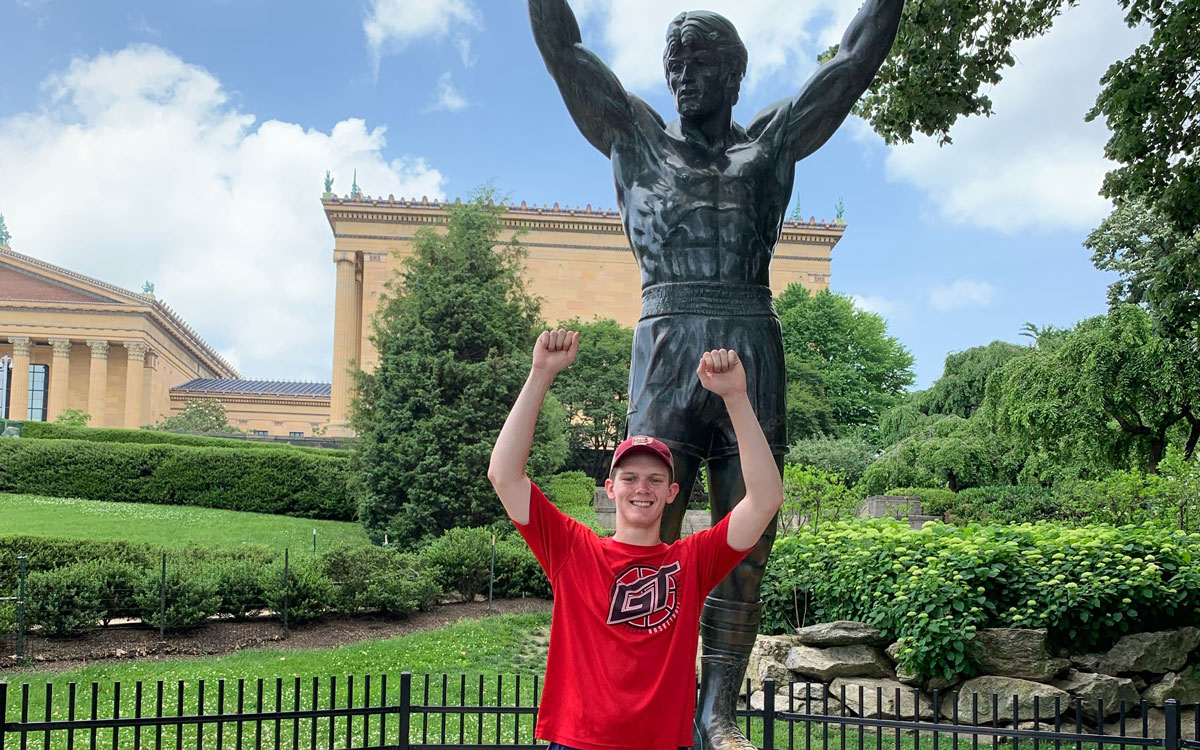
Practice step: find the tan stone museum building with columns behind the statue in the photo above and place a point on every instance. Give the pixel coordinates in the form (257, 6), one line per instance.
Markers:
(69, 341)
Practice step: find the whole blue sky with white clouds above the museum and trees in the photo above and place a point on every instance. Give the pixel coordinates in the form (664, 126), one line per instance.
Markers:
(187, 142)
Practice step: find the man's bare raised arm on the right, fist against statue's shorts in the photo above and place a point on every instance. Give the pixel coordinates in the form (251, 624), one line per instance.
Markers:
(722, 373)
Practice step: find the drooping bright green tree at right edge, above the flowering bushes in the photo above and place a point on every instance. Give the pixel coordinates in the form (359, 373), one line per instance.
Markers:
(1109, 397)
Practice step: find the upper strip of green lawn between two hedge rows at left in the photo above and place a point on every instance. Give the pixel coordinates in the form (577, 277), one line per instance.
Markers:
(169, 526)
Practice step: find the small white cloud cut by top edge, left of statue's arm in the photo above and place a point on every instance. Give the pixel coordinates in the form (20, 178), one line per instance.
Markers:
(392, 25)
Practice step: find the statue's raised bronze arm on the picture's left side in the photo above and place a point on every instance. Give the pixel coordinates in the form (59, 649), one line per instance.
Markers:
(599, 105)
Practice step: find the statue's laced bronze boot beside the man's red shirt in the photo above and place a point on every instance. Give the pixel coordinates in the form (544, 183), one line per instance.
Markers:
(728, 633)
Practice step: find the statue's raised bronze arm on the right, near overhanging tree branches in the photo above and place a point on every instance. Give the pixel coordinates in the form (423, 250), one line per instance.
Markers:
(830, 95)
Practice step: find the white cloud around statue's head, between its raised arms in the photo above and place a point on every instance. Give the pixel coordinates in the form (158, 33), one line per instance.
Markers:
(784, 38)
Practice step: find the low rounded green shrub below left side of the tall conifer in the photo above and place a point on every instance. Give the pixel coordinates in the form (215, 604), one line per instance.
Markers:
(380, 579)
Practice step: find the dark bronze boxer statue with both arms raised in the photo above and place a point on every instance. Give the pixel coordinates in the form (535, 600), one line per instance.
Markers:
(704, 201)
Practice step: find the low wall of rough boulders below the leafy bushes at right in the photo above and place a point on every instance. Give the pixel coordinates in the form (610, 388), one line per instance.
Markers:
(850, 667)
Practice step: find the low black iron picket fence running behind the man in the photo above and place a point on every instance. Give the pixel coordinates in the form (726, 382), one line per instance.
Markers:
(452, 712)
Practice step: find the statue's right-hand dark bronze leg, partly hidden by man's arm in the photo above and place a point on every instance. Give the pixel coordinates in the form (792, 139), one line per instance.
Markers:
(729, 623)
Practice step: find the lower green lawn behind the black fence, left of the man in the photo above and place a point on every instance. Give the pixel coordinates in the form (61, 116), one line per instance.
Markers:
(467, 651)
